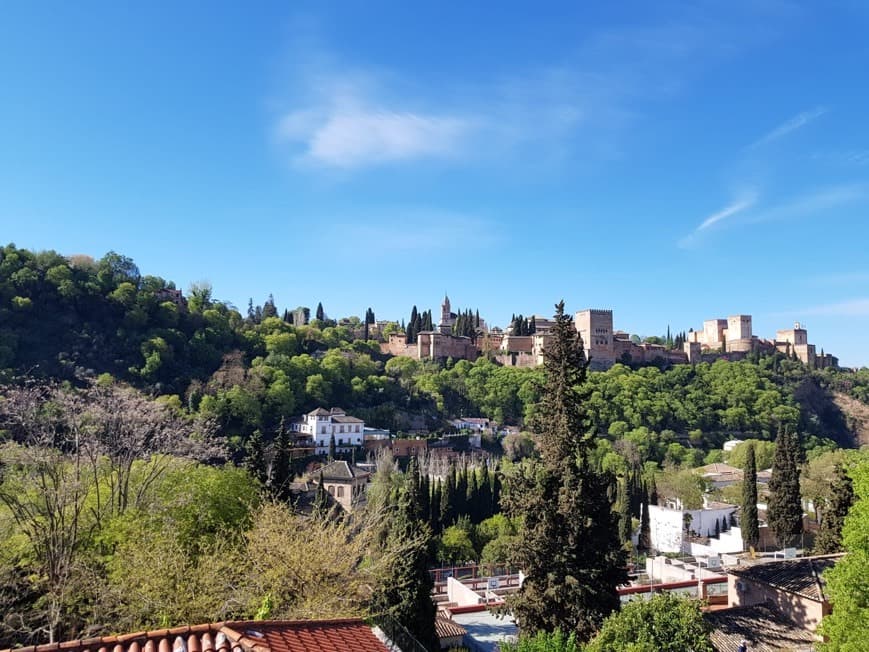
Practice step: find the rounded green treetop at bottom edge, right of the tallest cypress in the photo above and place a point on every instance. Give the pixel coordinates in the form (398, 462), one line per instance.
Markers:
(665, 623)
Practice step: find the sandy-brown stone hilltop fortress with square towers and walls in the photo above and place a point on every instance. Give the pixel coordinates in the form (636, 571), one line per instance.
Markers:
(731, 337)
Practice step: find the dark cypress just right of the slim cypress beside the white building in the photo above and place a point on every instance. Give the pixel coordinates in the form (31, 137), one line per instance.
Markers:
(785, 513)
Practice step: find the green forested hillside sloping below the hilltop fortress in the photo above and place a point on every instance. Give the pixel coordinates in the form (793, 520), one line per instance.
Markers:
(73, 318)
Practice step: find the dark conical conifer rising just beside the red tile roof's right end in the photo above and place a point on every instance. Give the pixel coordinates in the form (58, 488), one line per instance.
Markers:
(404, 593)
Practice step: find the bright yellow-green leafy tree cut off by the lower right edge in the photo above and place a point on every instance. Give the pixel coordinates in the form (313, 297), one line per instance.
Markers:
(847, 628)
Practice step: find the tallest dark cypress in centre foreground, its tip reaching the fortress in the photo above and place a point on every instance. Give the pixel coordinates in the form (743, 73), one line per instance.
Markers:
(571, 554)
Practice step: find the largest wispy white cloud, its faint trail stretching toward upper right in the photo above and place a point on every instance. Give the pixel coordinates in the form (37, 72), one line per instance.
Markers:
(330, 114)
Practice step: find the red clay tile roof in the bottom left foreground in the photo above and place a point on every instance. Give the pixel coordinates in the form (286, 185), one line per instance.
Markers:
(246, 636)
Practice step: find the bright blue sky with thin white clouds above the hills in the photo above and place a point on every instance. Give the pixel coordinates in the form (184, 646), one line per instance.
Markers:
(672, 161)
